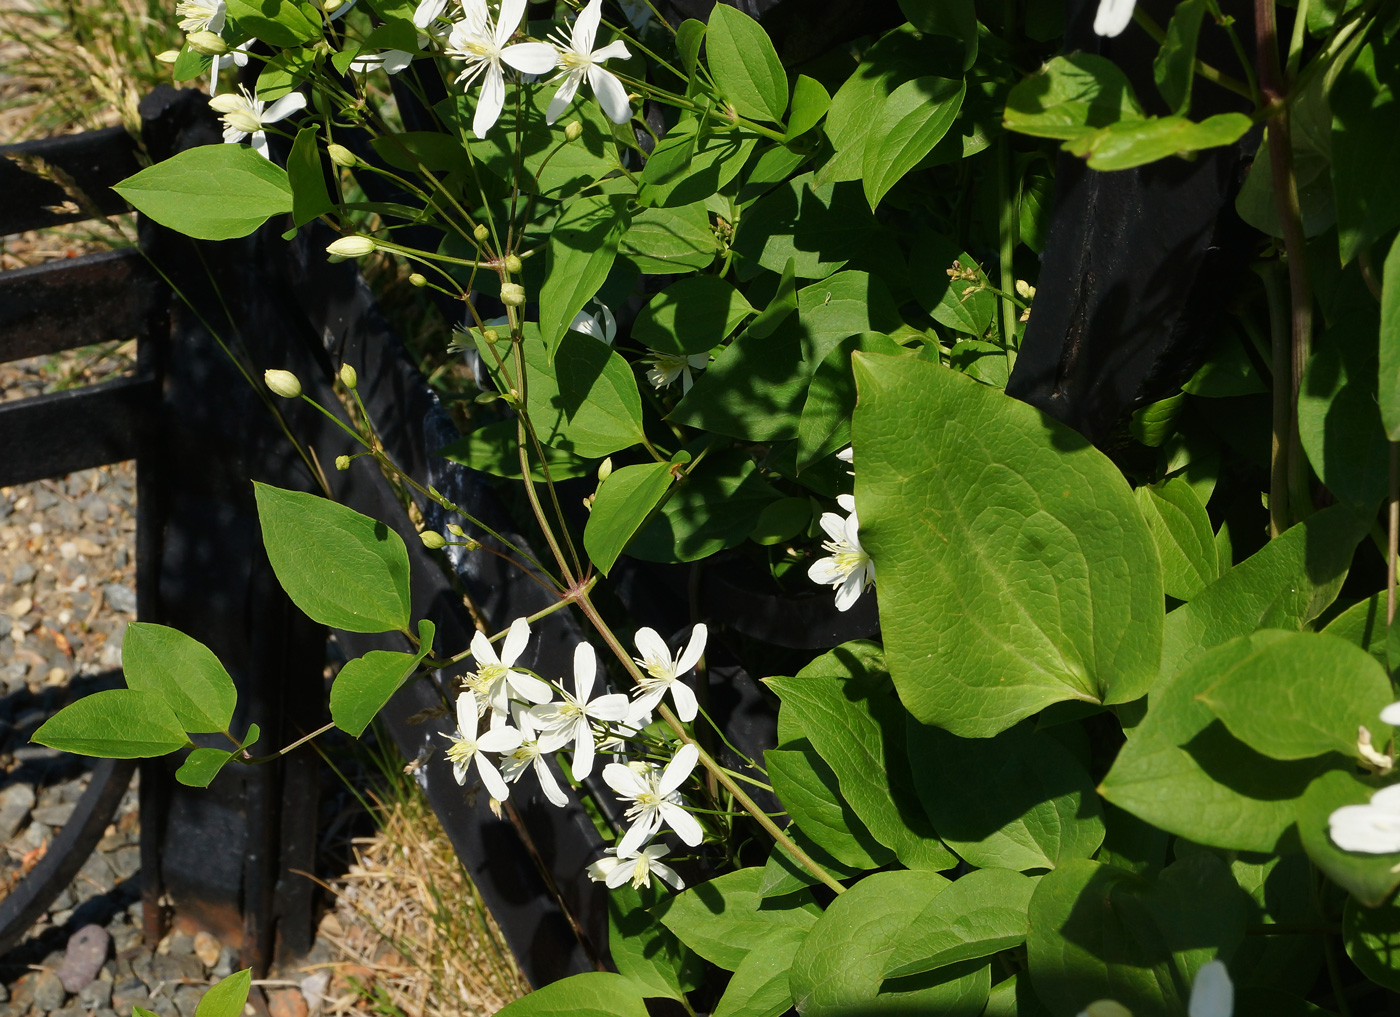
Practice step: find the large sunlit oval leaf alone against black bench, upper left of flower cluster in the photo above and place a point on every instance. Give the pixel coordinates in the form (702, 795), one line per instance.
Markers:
(341, 568)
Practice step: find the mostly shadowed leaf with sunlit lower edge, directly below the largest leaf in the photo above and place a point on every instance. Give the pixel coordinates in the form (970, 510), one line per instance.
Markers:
(1018, 801)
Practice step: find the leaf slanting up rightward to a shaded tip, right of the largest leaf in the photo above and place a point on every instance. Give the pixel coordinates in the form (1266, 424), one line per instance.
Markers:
(1283, 586)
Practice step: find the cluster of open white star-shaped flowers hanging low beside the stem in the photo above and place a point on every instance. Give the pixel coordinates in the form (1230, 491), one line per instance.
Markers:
(526, 725)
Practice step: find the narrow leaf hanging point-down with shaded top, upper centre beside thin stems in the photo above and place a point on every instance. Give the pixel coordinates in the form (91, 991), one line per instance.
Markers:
(580, 256)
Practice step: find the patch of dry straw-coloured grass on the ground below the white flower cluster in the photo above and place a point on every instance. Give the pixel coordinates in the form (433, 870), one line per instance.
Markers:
(416, 936)
